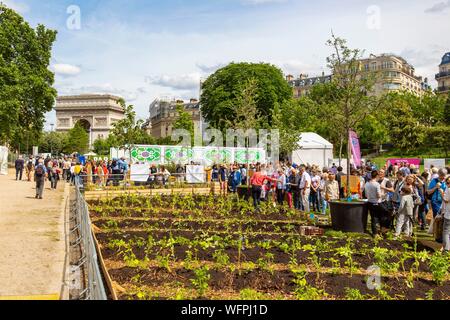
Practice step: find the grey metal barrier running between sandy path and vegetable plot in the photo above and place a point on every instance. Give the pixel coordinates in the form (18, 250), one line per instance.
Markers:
(94, 287)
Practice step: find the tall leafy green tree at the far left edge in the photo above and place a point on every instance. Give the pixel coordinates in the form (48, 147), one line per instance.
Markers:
(26, 91)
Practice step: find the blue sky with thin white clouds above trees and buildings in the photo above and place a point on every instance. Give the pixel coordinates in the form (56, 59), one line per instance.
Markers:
(142, 50)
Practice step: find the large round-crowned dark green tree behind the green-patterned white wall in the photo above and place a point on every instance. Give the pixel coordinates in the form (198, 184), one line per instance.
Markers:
(222, 89)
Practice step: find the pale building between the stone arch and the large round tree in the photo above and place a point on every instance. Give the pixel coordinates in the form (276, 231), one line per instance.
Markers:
(163, 114)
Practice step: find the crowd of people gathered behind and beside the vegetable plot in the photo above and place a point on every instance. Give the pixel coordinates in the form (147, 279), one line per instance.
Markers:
(397, 192)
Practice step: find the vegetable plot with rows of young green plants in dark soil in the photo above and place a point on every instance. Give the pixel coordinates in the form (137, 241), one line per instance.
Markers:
(206, 247)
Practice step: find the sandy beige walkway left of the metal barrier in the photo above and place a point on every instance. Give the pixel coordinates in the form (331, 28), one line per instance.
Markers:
(32, 239)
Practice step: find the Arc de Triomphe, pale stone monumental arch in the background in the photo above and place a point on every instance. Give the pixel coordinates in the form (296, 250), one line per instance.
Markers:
(95, 113)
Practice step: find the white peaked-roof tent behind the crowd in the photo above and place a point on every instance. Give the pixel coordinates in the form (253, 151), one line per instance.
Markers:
(313, 150)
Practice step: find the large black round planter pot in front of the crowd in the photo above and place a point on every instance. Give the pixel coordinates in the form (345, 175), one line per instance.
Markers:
(349, 216)
